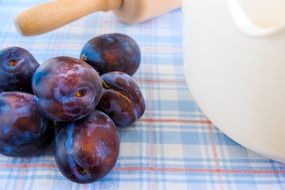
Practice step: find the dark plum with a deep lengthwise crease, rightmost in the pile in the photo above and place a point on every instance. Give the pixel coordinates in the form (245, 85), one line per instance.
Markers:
(122, 99)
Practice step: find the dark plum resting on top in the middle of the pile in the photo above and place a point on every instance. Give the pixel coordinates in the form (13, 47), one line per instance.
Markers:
(66, 88)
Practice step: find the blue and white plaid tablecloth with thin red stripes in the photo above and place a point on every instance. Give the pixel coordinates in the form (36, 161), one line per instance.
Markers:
(173, 146)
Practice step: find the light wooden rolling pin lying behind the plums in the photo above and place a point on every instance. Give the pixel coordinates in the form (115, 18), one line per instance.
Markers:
(49, 16)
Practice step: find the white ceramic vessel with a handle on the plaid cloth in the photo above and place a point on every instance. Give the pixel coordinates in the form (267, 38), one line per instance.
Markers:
(234, 54)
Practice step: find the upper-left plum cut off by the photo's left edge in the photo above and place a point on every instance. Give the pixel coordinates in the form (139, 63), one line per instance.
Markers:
(17, 66)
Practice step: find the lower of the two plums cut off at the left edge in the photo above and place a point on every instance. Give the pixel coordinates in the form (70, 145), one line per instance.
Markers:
(23, 131)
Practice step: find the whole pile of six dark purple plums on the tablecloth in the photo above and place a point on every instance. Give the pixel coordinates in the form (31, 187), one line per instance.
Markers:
(77, 103)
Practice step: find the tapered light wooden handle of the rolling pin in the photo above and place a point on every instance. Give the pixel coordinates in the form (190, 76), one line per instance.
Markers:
(49, 16)
